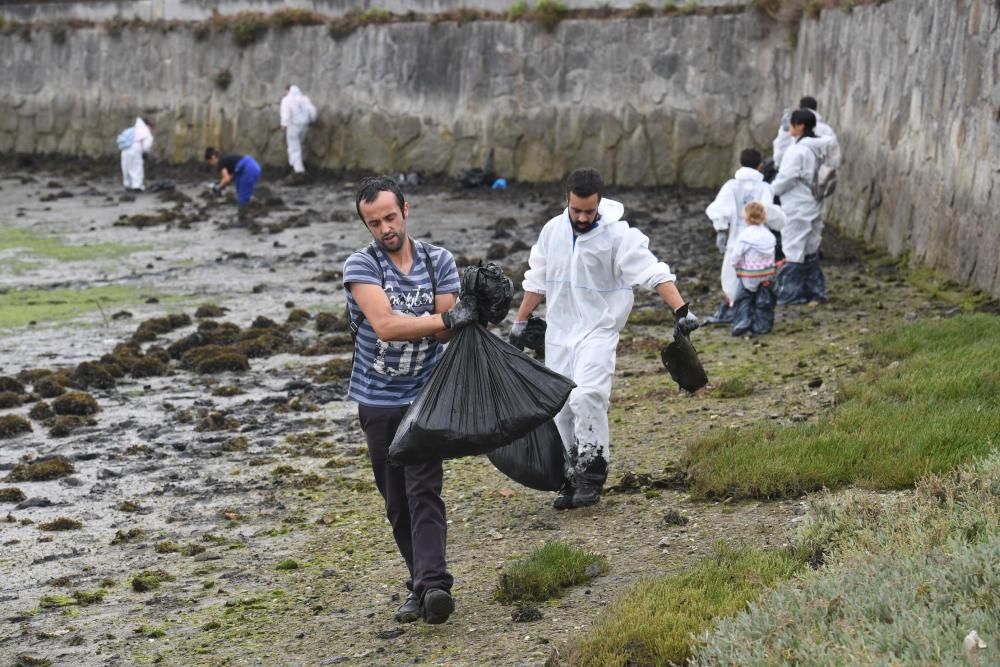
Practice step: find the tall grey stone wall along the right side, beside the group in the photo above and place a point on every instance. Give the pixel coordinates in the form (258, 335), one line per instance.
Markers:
(913, 89)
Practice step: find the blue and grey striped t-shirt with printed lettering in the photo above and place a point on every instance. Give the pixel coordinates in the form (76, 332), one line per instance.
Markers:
(391, 374)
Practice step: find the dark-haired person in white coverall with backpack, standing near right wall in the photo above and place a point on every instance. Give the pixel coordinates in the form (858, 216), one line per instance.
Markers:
(801, 279)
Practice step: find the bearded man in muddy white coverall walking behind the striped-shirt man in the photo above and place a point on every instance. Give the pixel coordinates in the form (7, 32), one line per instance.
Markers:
(584, 265)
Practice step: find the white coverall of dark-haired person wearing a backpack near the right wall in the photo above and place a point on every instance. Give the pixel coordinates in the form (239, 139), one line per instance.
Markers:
(803, 229)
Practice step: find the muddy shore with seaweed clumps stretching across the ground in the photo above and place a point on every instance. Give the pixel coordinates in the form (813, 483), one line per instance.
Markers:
(246, 493)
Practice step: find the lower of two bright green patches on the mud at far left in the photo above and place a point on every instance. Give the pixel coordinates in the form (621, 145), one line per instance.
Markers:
(21, 307)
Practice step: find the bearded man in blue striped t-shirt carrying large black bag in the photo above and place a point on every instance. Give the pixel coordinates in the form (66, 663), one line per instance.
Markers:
(401, 293)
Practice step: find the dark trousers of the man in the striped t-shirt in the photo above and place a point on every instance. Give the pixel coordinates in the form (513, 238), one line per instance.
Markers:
(412, 502)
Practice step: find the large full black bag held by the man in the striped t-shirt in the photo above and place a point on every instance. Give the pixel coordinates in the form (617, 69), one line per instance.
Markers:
(483, 394)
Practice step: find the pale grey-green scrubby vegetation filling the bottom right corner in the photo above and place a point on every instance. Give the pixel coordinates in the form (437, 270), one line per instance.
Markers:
(906, 577)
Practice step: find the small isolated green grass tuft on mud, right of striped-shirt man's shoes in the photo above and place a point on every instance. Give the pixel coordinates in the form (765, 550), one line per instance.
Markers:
(546, 571)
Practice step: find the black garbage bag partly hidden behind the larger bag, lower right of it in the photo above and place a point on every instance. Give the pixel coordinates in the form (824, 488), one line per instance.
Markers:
(536, 460)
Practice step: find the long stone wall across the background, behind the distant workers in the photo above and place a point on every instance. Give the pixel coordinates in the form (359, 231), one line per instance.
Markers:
(652, 101)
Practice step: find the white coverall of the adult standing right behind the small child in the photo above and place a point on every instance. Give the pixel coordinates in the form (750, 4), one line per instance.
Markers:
(726, 214)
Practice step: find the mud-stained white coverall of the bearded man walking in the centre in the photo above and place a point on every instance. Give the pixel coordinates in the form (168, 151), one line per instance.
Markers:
(588, 296)
